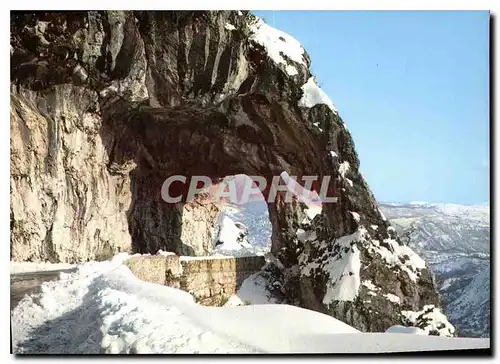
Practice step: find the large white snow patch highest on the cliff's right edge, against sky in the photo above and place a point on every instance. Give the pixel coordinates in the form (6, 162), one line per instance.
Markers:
(277, 44)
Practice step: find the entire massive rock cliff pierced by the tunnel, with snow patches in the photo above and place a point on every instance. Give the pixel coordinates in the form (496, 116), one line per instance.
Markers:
(106, 105)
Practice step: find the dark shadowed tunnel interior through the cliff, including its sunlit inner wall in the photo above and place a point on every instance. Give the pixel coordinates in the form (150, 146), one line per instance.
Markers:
(151, 145)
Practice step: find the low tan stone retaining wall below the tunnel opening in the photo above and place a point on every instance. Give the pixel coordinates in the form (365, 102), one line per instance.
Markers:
(211, 280)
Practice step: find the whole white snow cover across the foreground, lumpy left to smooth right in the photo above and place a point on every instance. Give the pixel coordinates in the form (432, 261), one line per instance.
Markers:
(103, 308)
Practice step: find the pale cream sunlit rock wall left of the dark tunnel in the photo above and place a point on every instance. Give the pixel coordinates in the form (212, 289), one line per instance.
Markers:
(65, 205)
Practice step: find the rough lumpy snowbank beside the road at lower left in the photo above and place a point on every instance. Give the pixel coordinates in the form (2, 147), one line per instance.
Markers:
(105, 309)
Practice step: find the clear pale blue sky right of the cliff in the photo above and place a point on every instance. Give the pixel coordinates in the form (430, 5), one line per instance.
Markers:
(413, 89)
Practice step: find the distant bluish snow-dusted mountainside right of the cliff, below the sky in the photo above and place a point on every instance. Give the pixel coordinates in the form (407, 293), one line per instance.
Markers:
(455, 241)
